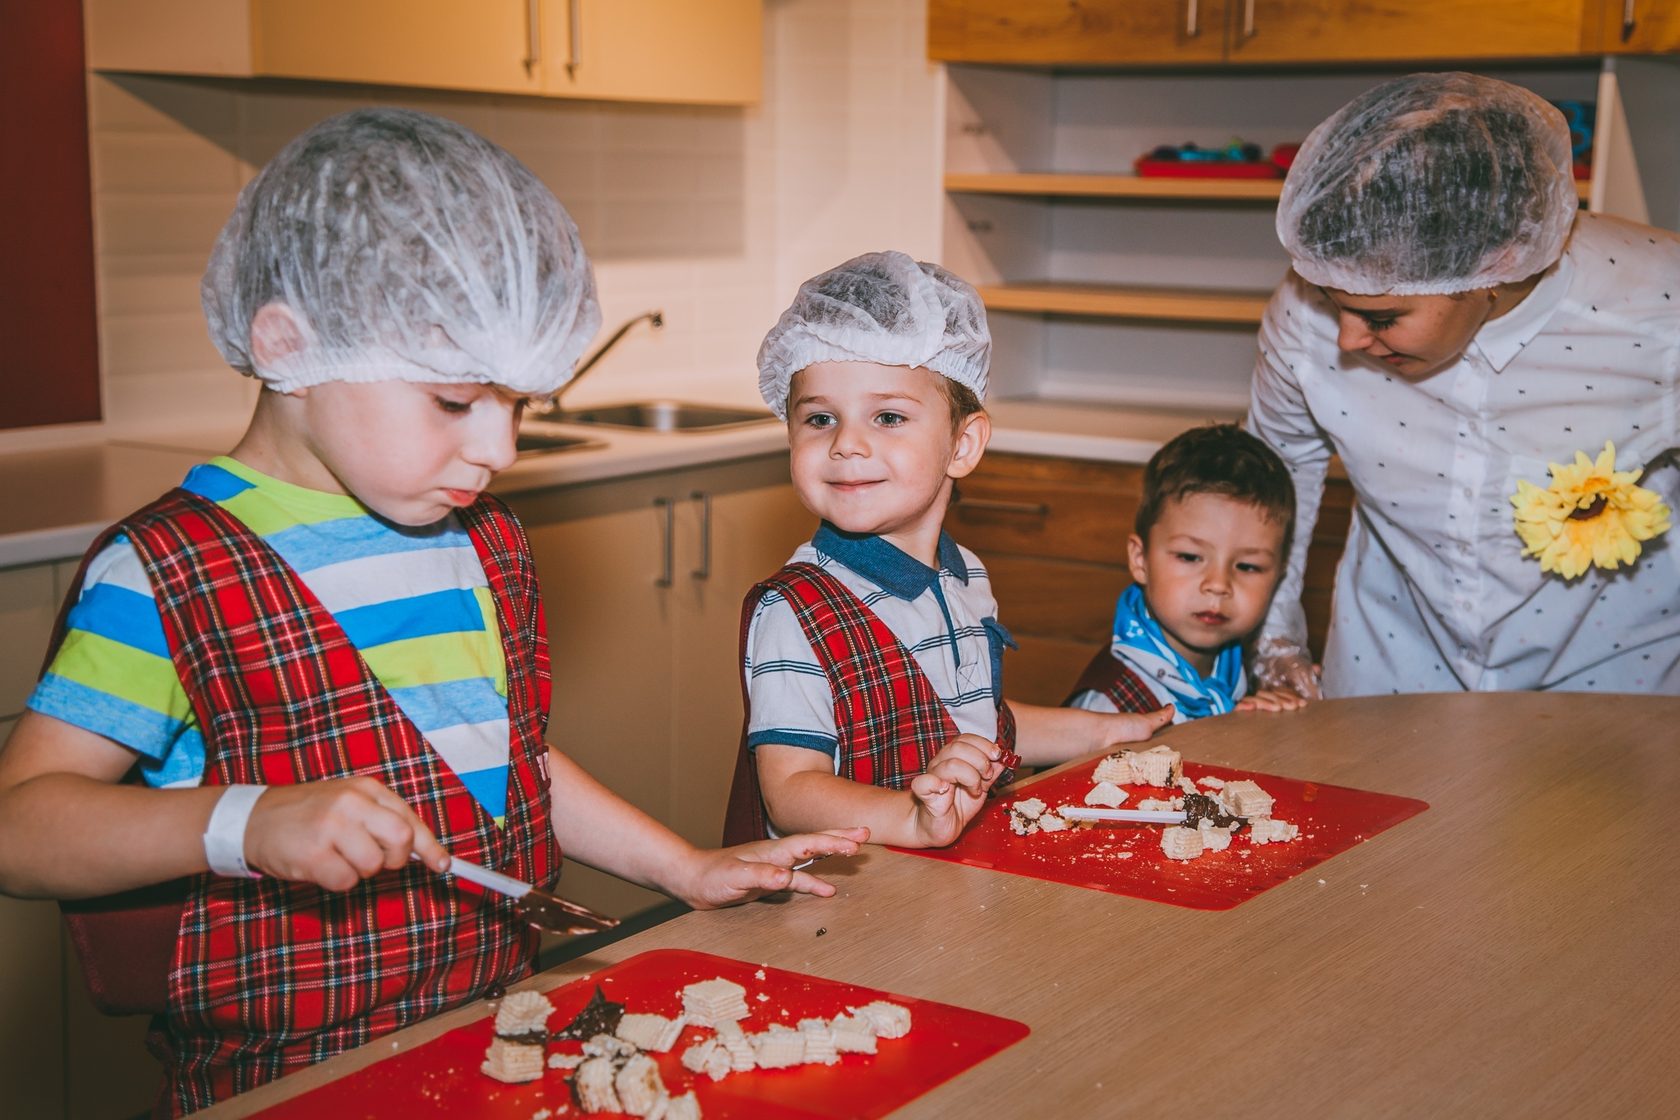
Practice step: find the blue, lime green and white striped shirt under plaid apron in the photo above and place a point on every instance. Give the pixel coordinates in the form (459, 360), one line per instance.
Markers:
(412, 600)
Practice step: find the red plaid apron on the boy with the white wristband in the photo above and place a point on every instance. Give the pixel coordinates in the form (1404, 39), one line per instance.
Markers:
(270, 976)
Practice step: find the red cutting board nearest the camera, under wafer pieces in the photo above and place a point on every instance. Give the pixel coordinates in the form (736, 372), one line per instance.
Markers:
(443, 1077)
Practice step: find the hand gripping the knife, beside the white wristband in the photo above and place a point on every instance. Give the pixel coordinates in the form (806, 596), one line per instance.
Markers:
(337, 834)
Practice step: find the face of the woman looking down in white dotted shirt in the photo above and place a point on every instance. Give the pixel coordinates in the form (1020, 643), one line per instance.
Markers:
(1412, 335)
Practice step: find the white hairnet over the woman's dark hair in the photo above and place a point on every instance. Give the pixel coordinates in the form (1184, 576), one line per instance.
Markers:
(1431, 184)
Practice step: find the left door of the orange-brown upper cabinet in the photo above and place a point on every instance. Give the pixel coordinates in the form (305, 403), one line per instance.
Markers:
(1058, 33)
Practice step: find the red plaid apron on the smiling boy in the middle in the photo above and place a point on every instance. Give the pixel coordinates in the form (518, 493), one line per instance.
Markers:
(888, 716)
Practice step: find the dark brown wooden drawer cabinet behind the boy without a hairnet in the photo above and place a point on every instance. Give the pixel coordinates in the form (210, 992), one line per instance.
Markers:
(1053, 535)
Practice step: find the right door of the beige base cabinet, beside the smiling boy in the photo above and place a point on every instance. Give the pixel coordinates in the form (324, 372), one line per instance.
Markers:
(737, 526)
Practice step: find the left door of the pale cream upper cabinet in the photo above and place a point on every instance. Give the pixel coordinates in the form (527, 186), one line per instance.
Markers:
(443, 44)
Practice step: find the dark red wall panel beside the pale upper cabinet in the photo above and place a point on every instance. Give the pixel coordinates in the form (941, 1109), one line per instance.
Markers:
(50, 350)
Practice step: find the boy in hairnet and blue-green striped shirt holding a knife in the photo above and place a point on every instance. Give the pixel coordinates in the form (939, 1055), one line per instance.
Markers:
(325, 654)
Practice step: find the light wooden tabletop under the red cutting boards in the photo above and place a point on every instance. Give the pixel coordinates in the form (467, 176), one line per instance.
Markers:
(1513, 953)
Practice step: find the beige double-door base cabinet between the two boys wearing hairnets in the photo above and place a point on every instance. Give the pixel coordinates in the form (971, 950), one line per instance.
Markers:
(643, 580)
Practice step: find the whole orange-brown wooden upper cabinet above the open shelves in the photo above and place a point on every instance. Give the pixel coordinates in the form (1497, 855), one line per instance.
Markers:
(1173, 33)
